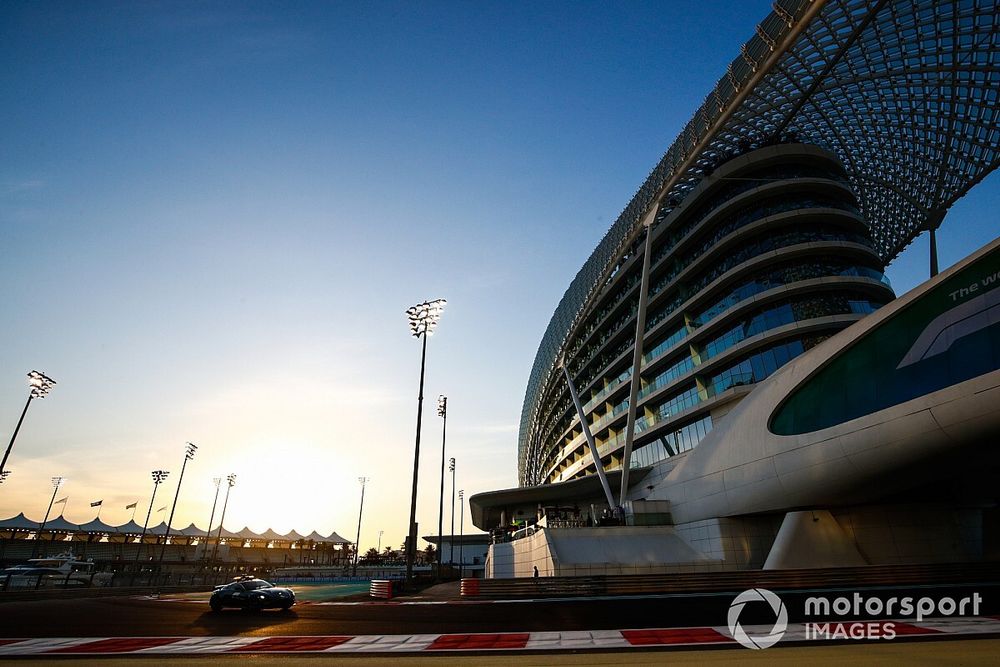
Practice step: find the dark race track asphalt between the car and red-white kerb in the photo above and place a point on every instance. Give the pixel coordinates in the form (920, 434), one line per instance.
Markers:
(146, 617)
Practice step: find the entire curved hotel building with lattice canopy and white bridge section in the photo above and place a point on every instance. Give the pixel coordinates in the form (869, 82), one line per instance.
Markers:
(731, 358)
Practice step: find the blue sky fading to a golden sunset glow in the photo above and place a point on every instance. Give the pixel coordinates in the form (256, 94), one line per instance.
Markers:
(213, 216)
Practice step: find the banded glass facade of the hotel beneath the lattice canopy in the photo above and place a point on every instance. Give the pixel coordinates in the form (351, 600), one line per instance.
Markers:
(730, 266)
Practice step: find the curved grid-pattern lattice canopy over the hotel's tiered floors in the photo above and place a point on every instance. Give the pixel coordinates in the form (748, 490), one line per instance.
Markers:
(904, 92)
